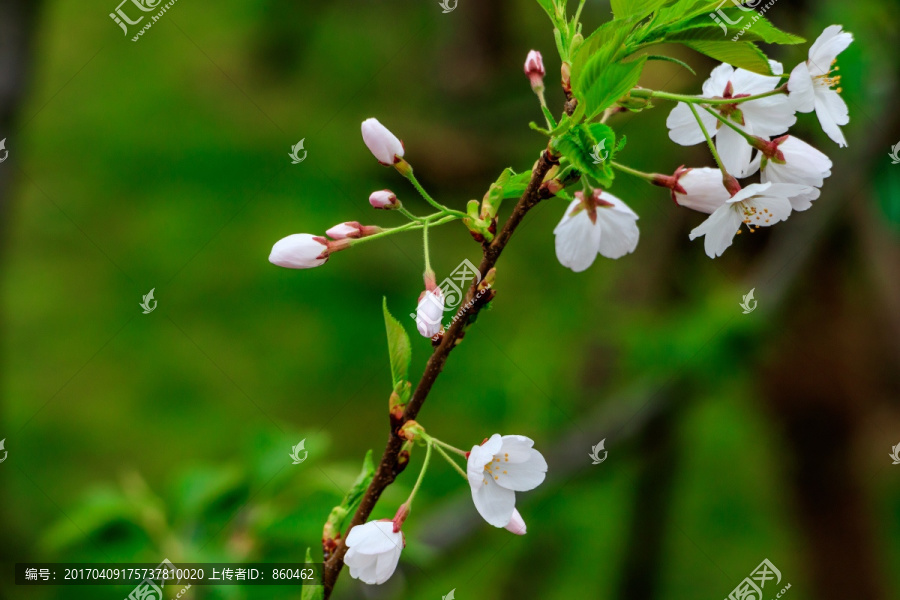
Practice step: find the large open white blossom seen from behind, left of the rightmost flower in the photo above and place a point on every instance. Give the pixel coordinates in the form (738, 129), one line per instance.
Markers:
(765, 117)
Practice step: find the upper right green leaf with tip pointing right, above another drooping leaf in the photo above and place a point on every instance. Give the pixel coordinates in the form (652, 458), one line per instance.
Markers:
(758, 29)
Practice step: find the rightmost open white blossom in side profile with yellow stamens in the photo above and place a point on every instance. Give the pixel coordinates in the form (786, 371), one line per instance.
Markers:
(811, 83)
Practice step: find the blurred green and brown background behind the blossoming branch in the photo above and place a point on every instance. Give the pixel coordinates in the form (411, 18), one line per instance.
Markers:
(163, 164)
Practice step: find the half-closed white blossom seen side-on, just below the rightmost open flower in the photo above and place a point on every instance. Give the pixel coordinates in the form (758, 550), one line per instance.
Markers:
(791, 160)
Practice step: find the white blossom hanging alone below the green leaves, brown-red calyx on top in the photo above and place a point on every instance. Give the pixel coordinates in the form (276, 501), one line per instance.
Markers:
(600, 224)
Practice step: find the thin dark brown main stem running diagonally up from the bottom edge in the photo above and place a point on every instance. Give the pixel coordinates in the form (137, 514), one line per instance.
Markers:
(389, 467)
